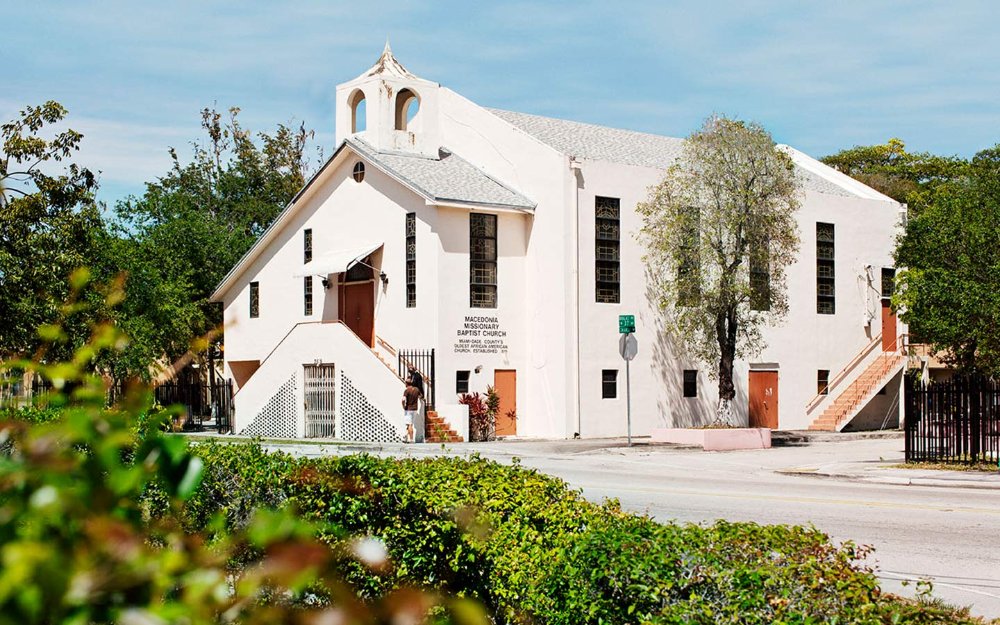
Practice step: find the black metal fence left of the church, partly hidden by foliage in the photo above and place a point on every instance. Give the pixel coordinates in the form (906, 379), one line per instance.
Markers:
(206, 405)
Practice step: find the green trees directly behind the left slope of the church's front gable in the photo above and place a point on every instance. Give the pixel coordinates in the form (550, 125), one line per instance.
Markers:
(177, 241)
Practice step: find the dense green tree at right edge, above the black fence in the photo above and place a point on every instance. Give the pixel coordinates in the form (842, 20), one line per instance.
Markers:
(949, 291)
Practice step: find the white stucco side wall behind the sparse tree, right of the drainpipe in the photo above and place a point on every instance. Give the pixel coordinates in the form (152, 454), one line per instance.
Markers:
(802, 344)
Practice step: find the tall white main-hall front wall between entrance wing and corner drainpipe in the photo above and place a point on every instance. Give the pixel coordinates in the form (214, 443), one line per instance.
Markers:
(546, 392)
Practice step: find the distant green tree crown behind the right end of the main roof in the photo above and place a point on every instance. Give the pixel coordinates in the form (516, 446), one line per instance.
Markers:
(889, 168)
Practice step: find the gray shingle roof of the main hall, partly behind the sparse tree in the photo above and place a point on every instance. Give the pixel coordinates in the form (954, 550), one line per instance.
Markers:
(628, 147)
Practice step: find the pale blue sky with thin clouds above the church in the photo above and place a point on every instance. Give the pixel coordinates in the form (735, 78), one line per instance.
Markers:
(820, 76)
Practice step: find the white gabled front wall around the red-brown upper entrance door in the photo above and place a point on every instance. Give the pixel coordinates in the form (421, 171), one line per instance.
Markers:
(341, 213)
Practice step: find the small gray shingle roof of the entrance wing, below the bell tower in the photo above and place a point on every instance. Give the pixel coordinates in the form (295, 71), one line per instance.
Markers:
(448, 178)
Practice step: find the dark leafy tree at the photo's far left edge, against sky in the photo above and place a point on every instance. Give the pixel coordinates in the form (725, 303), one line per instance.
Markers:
(49, 227)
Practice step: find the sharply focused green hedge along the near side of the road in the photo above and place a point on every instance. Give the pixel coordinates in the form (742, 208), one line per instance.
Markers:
(534, 551)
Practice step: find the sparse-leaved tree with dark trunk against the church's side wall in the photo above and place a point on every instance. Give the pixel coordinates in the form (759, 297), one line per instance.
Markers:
(720, 232)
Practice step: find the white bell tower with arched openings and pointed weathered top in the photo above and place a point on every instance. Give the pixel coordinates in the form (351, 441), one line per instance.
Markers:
(390, 109)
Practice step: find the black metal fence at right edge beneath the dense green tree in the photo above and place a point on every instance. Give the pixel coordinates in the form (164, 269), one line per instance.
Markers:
(956, 421)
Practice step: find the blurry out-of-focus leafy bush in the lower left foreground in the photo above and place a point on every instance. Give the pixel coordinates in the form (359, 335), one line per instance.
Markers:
(99, 524)
